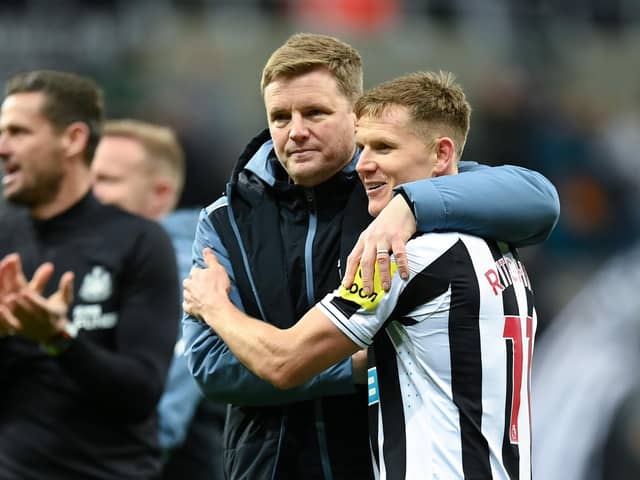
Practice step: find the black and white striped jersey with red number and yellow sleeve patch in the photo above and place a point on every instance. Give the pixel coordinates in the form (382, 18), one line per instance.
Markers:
(450, 360)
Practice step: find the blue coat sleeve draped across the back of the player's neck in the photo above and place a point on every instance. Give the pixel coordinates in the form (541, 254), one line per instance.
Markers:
(507, 203)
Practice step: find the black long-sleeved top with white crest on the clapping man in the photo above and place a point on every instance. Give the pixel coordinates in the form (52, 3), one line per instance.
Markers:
(90, 412)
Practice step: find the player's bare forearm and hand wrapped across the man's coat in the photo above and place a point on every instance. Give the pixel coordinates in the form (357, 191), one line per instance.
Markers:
(284, 358)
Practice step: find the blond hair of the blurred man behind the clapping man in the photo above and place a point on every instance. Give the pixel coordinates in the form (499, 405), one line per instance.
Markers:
(164, 152)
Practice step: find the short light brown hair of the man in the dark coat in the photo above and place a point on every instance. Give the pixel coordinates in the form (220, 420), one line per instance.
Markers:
(305, 52)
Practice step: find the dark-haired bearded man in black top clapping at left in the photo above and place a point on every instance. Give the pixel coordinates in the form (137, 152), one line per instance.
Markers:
(81, 368)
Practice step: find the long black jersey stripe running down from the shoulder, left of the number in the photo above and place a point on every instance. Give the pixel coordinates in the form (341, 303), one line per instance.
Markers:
(466, 355)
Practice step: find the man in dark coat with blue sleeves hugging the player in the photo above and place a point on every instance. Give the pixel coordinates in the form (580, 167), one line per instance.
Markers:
(293, 210)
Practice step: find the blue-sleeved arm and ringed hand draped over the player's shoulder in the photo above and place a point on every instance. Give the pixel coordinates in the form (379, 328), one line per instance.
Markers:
(508, 203)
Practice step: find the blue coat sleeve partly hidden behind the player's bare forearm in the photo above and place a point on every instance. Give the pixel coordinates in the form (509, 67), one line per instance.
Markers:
(220, 375)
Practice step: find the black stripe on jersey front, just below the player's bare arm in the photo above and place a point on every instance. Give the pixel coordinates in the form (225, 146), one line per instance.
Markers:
(394, 447)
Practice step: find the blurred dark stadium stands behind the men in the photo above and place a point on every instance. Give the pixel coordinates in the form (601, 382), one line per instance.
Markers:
(554, 86)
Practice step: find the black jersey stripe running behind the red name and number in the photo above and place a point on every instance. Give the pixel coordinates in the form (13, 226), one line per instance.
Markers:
(510, 451)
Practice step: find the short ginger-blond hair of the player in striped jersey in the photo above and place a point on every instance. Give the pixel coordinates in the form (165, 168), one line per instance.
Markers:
(436, 104)
